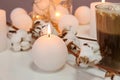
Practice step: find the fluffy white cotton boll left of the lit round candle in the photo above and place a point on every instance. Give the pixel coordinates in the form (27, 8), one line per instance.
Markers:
(21, 40)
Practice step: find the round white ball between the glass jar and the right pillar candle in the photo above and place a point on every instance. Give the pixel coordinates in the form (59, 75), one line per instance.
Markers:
(83, 15)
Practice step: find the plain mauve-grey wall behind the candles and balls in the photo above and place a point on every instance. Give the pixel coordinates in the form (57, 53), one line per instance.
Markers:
(8, 5)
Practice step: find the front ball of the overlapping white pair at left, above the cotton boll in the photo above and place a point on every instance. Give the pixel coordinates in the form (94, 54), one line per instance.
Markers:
(22, 21)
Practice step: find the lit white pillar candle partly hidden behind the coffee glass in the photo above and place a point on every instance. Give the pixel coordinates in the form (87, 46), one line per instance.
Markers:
(93, 18)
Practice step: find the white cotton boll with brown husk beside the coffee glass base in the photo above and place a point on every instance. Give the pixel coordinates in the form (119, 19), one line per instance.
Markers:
(89, 54)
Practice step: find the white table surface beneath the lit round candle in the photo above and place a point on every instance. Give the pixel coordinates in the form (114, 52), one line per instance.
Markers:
(20, 66)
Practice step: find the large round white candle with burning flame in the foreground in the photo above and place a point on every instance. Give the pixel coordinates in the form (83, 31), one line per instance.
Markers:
(49, 52)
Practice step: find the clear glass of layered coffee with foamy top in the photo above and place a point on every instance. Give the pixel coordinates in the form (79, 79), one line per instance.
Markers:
(108, 33)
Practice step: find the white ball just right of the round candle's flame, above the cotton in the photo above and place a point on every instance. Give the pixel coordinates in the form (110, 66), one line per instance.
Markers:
(68, 22)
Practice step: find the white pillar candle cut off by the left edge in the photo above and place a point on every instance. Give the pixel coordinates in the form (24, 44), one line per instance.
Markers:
(3, 30)
